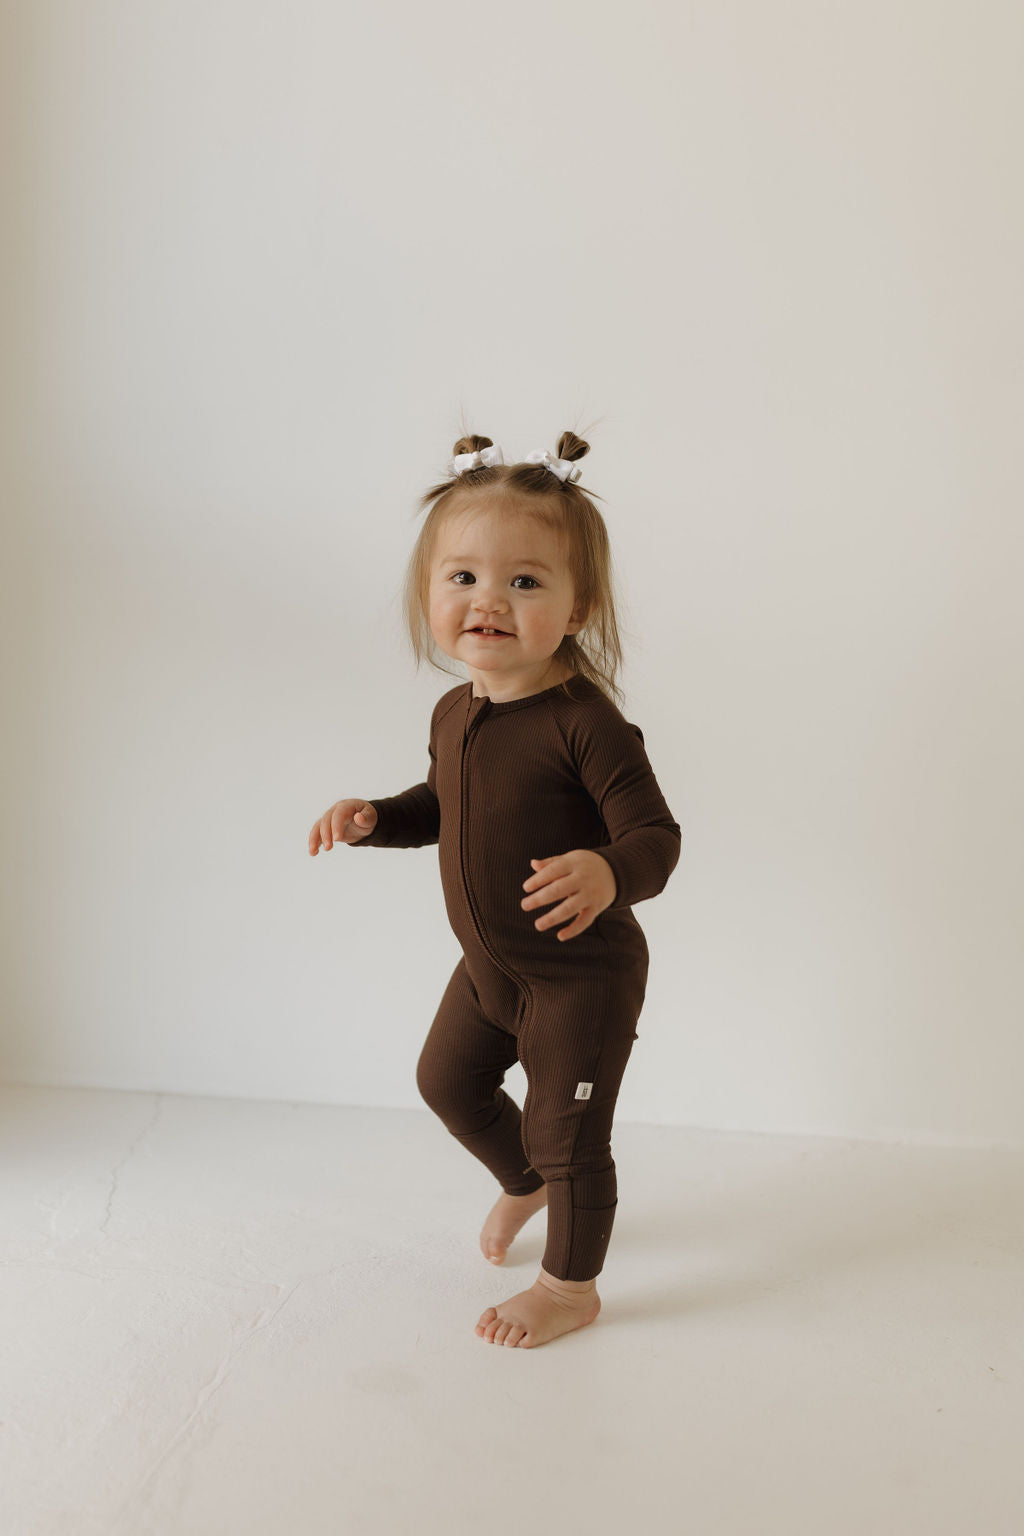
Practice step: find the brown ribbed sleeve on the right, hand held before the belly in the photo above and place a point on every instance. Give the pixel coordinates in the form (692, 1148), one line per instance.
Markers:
(616, 772)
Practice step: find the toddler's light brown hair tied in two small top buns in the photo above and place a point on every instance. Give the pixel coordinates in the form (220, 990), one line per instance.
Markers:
(595, 652)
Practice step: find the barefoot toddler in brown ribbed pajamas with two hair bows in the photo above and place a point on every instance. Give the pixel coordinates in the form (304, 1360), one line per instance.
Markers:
(550, 826)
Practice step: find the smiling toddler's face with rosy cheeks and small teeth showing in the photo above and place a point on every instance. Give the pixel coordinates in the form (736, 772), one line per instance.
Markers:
(503, 571)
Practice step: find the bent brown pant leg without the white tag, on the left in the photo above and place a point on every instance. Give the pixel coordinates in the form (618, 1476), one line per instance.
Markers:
(460, 1074)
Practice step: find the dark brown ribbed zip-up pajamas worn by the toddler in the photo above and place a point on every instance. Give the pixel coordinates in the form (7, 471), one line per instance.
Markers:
(510, 783)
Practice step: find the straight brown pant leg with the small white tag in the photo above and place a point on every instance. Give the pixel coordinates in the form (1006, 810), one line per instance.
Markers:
(578, 1042)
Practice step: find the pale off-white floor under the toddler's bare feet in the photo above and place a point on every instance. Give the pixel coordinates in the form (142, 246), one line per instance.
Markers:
(228, 1319)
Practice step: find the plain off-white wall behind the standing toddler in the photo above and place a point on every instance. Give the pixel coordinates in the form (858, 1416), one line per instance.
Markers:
(262, 259)
